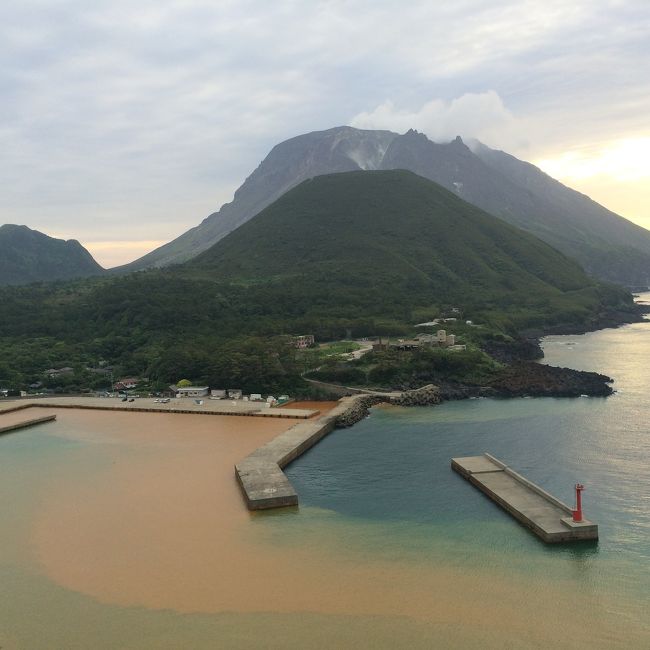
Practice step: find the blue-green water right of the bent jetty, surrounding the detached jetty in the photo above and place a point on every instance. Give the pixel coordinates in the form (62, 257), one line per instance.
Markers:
(393, 469)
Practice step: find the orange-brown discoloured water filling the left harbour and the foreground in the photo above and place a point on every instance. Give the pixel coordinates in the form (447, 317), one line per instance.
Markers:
(128, 530)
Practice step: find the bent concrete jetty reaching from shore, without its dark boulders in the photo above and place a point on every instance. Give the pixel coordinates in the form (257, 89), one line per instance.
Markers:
(263, 483)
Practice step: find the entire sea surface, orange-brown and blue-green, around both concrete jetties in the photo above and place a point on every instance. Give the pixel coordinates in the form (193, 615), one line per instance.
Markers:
(110, 538)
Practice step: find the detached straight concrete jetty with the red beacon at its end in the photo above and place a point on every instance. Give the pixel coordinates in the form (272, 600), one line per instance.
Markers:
(545, 515)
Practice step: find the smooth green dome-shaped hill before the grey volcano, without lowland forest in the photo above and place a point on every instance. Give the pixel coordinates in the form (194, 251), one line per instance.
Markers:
(386, 242)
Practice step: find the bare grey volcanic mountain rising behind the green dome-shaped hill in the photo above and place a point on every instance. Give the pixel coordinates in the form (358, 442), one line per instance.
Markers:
(607, 245)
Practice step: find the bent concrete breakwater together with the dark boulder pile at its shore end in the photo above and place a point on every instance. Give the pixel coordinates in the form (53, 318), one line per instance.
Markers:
(264, 484)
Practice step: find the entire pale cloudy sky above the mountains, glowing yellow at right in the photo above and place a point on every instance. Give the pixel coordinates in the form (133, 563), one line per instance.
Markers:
(124, 124)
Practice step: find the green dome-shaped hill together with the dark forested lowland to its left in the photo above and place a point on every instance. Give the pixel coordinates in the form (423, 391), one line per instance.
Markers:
(352, 254)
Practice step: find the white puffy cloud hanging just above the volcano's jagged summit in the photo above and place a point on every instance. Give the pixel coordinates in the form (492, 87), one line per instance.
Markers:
(472, 115)
